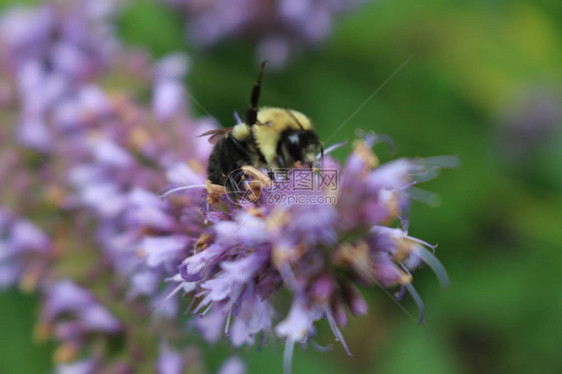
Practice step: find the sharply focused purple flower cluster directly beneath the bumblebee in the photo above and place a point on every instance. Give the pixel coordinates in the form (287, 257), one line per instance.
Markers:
(321, 253)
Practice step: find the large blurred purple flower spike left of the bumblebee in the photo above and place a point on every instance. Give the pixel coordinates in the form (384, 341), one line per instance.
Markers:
(85, 164)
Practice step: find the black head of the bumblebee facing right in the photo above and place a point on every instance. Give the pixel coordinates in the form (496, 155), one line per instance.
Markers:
(297, 146)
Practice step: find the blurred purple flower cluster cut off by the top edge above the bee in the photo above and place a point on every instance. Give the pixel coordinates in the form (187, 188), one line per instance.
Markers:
(279, 27)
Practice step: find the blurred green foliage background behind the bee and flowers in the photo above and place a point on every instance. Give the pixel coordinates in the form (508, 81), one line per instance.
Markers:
(473, 64)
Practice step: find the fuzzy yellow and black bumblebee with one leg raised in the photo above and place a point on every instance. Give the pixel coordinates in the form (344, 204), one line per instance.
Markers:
(268, 138)
